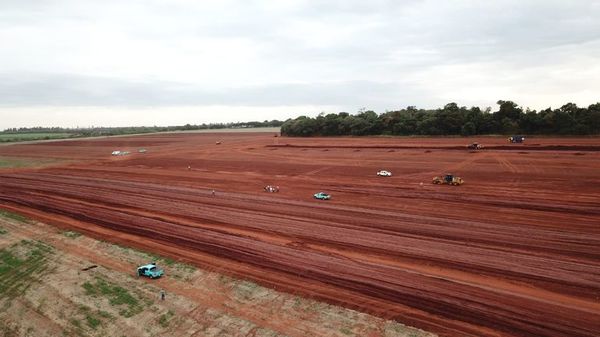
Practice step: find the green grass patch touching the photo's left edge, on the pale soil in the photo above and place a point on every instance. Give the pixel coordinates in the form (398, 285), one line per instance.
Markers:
(21, 265)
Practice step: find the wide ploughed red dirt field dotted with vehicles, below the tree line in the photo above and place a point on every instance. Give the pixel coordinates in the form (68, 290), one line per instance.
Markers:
(515, 251)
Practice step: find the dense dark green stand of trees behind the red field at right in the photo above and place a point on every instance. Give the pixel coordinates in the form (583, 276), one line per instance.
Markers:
(452, 120)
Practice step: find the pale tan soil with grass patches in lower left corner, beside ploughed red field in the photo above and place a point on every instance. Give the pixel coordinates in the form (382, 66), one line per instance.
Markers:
(66, 284)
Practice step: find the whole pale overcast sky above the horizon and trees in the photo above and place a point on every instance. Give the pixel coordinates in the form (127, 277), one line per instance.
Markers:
(125, 62)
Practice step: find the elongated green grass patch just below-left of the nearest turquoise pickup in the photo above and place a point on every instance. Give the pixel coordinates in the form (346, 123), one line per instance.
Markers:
(116, 295)
